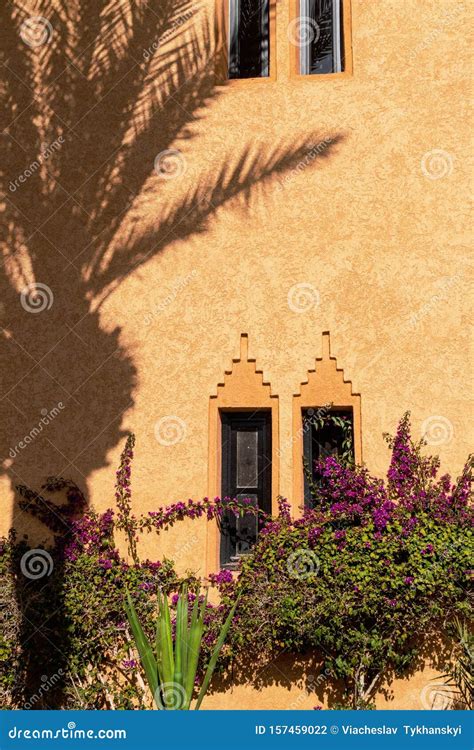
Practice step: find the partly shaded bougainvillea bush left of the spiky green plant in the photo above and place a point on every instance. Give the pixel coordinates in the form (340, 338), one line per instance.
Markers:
(68, 643)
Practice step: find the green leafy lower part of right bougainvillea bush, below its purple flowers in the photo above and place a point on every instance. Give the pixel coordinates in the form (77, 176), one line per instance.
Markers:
(368, 602)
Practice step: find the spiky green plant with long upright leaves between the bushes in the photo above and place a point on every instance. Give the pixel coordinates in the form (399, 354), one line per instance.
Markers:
(170, 664)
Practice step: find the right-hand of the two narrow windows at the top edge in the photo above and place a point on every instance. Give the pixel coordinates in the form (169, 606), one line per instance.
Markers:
(320, 37)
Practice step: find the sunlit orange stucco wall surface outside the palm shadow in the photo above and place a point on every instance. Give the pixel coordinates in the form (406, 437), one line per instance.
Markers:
(379, 240)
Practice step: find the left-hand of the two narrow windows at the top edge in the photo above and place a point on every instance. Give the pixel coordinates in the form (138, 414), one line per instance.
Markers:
(249, 38)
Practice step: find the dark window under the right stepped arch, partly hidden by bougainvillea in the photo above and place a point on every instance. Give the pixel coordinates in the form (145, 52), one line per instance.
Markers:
(325, 433)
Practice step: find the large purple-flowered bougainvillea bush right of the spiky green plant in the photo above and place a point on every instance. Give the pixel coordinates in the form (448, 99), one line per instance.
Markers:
(370, 576)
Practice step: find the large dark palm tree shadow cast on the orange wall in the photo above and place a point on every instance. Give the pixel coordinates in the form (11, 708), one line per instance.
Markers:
(95, 94)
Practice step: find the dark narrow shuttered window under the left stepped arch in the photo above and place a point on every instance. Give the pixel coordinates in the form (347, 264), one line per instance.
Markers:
(246, 473)
